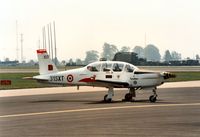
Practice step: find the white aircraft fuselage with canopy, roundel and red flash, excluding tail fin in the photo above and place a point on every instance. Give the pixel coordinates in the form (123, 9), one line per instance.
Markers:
(105, 74)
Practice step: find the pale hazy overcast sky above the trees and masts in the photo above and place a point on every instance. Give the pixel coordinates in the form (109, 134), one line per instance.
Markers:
(83, 25)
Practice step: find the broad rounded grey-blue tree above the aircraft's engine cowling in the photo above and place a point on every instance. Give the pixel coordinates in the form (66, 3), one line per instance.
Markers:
(152, 53)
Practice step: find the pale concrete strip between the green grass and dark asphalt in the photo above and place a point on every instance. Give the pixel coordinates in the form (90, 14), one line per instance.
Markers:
(56, 90)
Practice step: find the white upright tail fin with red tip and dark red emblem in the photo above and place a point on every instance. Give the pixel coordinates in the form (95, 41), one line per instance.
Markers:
(46, 65)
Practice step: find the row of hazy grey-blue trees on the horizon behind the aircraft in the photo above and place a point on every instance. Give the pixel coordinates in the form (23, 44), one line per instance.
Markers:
(150, 53)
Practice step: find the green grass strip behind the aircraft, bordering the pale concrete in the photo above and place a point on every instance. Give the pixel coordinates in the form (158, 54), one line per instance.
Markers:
(18, 82)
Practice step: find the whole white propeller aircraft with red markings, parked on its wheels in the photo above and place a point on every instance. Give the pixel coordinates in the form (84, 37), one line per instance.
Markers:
(109, 74)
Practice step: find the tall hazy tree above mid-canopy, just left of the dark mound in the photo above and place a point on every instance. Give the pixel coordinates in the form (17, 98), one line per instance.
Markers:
(109, 51)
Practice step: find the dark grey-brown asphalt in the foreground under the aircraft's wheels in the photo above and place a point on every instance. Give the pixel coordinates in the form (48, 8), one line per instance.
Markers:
(176, 113)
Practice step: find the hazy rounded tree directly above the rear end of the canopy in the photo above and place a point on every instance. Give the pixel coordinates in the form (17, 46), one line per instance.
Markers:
(91, 56)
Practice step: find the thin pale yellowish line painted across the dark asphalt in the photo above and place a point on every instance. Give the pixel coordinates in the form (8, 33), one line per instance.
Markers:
(96, 109)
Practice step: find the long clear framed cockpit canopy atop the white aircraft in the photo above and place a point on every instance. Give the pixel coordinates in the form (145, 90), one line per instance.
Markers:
(115, 66)
